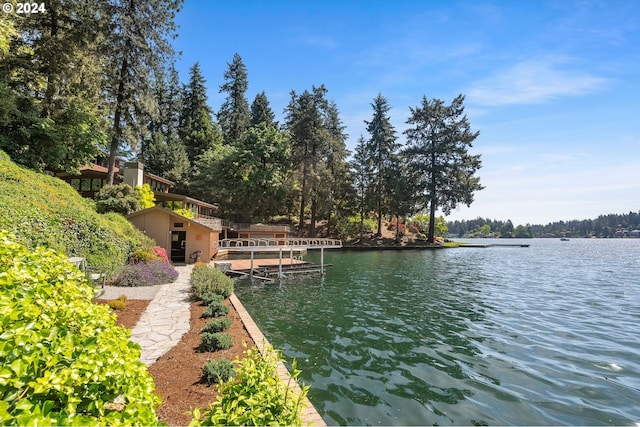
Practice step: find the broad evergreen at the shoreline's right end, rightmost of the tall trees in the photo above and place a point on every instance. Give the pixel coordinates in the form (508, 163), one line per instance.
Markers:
(438, 157)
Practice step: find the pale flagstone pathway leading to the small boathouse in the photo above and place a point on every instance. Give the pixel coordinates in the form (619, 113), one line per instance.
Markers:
(166, 319)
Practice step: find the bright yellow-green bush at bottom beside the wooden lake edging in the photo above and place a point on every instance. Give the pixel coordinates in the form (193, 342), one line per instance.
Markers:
(256, 396)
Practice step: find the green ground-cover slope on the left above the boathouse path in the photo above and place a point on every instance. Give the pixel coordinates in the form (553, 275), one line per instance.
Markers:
(44, 211)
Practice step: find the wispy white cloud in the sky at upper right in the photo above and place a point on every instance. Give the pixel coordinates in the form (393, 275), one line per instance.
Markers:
(533, 81)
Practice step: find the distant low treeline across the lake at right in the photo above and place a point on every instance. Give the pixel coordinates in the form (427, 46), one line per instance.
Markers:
(611, 225)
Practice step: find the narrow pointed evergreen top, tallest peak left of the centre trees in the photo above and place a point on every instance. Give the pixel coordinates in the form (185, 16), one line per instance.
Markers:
(234, 116)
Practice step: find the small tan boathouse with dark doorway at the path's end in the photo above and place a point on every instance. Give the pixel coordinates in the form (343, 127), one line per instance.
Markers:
(181, 237)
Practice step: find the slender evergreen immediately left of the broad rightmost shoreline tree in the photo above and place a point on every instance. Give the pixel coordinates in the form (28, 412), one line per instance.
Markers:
(381, 147)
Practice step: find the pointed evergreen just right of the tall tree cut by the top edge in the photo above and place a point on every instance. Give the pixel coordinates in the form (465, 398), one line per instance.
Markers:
(197, 130)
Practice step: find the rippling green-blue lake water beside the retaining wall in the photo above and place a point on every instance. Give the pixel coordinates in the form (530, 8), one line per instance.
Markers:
(544, 335)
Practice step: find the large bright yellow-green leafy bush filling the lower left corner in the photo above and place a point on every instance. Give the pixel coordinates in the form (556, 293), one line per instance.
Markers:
(63, 359)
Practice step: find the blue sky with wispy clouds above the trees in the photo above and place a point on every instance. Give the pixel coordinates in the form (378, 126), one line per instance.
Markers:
(552, 86)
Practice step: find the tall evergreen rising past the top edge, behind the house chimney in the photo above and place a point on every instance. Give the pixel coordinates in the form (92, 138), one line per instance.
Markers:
(139, 47)
